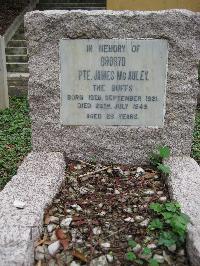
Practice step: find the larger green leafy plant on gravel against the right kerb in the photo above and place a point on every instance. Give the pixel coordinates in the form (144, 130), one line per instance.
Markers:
(170, 223)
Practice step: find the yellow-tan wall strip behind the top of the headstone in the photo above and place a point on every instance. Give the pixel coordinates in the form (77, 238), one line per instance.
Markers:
(153, 4)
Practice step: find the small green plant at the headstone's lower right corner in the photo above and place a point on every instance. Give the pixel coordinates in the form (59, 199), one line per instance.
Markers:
(157, 157)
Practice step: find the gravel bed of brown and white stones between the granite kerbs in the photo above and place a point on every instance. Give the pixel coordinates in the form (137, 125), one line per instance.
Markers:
(97, 211)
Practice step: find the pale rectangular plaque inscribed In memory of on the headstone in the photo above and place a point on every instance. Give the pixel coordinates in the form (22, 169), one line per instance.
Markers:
(113, 82)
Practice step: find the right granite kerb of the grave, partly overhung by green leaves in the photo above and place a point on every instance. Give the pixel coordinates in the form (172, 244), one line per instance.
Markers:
(184, 184)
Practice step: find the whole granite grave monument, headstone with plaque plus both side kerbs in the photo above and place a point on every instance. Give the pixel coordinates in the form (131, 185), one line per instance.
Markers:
(111, 85)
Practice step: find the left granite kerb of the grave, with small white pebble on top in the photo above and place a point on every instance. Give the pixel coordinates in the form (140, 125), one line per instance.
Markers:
(36, 183)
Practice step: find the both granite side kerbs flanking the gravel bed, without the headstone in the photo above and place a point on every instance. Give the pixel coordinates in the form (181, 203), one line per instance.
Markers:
(38, 180)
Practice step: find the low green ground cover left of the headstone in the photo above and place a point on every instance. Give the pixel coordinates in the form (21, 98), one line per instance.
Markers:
(15, 137)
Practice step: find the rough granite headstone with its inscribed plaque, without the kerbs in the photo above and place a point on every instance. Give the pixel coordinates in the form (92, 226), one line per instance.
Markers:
(113, 85)
